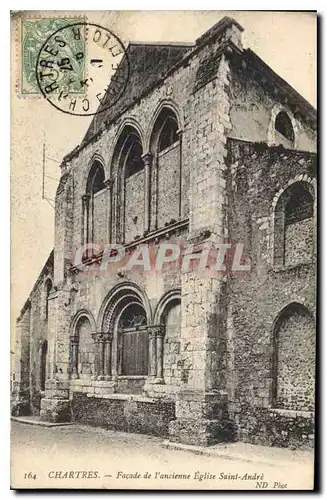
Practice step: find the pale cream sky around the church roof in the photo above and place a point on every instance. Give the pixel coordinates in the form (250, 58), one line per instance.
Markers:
(285, 41)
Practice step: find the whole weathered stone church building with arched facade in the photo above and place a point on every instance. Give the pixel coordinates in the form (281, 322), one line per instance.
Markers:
(206, 146)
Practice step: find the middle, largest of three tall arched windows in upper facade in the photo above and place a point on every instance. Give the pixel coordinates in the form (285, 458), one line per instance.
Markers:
(130, 199)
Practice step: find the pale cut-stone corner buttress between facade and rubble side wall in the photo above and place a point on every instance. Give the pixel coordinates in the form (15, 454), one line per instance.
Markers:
(202, 416)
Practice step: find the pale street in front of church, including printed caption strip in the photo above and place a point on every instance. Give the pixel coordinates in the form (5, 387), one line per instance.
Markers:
(58, 456)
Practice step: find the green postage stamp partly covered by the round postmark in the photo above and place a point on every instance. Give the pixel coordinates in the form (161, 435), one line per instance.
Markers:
(34, 33)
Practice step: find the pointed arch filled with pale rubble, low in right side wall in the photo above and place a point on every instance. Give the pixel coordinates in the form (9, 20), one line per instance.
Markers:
(294, 359)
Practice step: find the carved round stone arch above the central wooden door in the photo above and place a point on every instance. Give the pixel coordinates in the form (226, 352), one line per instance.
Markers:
(115, 298)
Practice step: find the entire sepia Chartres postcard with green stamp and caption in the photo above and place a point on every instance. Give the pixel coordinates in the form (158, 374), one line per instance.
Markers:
(163, 208)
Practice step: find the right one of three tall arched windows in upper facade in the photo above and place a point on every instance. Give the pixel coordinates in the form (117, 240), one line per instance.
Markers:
(165, 146)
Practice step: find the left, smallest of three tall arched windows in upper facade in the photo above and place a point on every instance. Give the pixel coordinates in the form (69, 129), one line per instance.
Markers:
(94, 204)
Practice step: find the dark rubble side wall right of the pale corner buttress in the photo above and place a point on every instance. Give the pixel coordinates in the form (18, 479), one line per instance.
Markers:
(257, 298)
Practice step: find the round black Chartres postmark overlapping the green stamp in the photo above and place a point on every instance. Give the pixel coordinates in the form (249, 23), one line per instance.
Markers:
(82, 69)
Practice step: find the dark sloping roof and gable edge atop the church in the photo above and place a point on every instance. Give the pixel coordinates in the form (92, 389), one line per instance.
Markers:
(157, 60)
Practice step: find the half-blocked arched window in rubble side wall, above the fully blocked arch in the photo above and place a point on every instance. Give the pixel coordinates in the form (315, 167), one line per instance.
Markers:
(294, 225)
